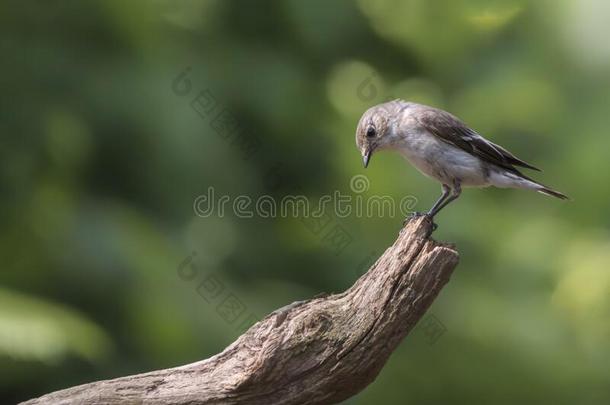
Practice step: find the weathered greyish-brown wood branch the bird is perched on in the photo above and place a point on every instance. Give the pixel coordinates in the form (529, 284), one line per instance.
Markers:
(319, 351)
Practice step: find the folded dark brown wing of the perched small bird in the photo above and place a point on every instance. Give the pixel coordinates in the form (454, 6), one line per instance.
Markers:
(453, 131)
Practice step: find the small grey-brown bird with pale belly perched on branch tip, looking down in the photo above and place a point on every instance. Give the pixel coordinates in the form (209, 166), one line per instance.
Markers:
(442, 147)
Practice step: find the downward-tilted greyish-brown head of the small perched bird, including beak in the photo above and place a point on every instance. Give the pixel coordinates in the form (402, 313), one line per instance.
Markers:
(373, 132)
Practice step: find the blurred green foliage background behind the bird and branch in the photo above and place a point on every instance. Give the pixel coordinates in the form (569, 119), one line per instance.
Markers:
(103, 156)
